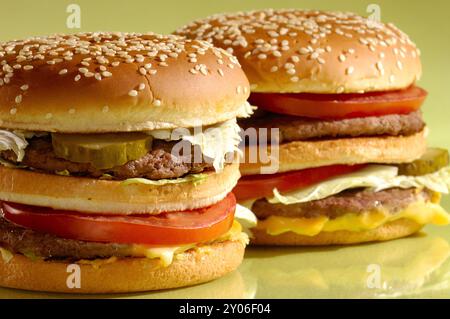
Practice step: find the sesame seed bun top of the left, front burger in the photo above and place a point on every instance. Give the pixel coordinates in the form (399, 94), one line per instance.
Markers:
(113, 82)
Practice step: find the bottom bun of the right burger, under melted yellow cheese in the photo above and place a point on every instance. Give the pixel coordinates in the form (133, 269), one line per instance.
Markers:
(392, 230)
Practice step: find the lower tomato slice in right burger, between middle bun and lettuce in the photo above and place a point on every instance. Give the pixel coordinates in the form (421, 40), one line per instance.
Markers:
(258, 186)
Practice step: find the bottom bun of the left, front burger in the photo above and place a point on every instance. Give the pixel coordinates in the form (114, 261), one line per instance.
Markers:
(124, 275)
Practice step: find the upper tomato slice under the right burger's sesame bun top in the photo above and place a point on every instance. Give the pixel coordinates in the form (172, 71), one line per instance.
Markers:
(338, 106)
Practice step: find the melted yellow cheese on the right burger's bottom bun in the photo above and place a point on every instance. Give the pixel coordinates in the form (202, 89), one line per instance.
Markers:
(420, 212)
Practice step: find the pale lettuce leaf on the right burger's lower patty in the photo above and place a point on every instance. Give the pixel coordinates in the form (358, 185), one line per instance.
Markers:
(375, 177)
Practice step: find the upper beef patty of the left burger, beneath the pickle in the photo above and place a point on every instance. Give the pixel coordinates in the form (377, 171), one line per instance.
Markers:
(159, 163)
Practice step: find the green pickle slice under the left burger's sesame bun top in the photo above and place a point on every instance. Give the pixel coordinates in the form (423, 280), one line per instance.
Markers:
(101, 150)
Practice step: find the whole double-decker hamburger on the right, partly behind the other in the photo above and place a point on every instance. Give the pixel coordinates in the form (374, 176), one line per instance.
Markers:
(339, 109)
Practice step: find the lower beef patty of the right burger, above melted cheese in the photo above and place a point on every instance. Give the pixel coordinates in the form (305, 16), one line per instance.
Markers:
(357, 201)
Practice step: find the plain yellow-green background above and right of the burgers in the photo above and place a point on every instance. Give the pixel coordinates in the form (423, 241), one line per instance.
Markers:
(427, 23)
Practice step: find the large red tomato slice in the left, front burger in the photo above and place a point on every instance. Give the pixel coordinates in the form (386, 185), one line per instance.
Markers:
(173, 228)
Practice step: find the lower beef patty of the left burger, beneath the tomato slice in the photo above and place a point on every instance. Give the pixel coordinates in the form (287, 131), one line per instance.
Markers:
(29, 242)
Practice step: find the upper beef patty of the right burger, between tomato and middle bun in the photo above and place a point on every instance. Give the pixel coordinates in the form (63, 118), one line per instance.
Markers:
(292, 128)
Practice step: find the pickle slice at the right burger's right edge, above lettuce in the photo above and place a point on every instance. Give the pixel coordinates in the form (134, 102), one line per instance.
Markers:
(433, 160)
